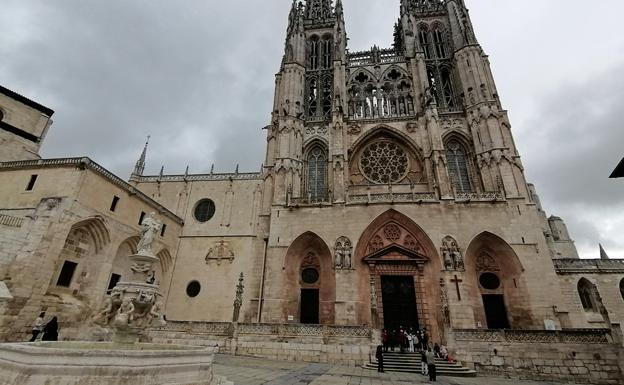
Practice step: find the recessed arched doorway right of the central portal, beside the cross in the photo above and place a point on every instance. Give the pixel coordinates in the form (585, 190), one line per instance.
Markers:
(495, 282)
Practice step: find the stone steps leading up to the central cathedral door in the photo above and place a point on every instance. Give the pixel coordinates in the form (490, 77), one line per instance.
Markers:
(411, 363)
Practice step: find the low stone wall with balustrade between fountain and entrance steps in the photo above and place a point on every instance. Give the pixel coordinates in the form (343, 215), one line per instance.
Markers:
(308, 343)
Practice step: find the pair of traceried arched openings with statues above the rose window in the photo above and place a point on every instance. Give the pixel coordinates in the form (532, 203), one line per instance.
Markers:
(388, 98)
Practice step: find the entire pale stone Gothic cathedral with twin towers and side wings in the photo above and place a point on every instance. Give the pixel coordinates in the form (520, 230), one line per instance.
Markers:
(392, 195)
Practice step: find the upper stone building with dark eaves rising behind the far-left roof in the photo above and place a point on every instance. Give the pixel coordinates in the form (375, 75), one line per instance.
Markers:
(23, 126)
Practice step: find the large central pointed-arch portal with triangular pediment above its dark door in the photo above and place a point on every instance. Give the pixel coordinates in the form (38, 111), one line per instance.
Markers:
(402, 286)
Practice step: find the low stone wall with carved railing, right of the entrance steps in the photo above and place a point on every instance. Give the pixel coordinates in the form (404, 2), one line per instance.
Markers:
(581, 356)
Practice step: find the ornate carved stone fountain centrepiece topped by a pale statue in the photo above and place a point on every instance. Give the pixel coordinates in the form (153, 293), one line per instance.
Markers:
(133, 305)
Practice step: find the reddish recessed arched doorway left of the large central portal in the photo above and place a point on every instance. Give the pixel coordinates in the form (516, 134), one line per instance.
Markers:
(310, 284)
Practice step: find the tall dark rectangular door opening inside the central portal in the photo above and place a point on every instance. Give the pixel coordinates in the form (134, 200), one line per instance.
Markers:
(399, 302)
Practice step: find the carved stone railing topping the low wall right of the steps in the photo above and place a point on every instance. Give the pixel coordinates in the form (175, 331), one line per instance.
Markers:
(570, 336)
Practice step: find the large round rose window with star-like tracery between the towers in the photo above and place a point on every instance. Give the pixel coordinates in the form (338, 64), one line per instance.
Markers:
(384, 162)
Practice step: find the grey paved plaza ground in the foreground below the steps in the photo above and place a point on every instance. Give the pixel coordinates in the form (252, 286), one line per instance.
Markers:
(255, 371)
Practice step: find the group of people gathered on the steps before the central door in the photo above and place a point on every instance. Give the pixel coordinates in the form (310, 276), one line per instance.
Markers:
(412, 341)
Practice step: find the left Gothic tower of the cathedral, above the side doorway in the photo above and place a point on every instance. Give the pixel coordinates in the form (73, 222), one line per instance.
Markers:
(306, 90)
